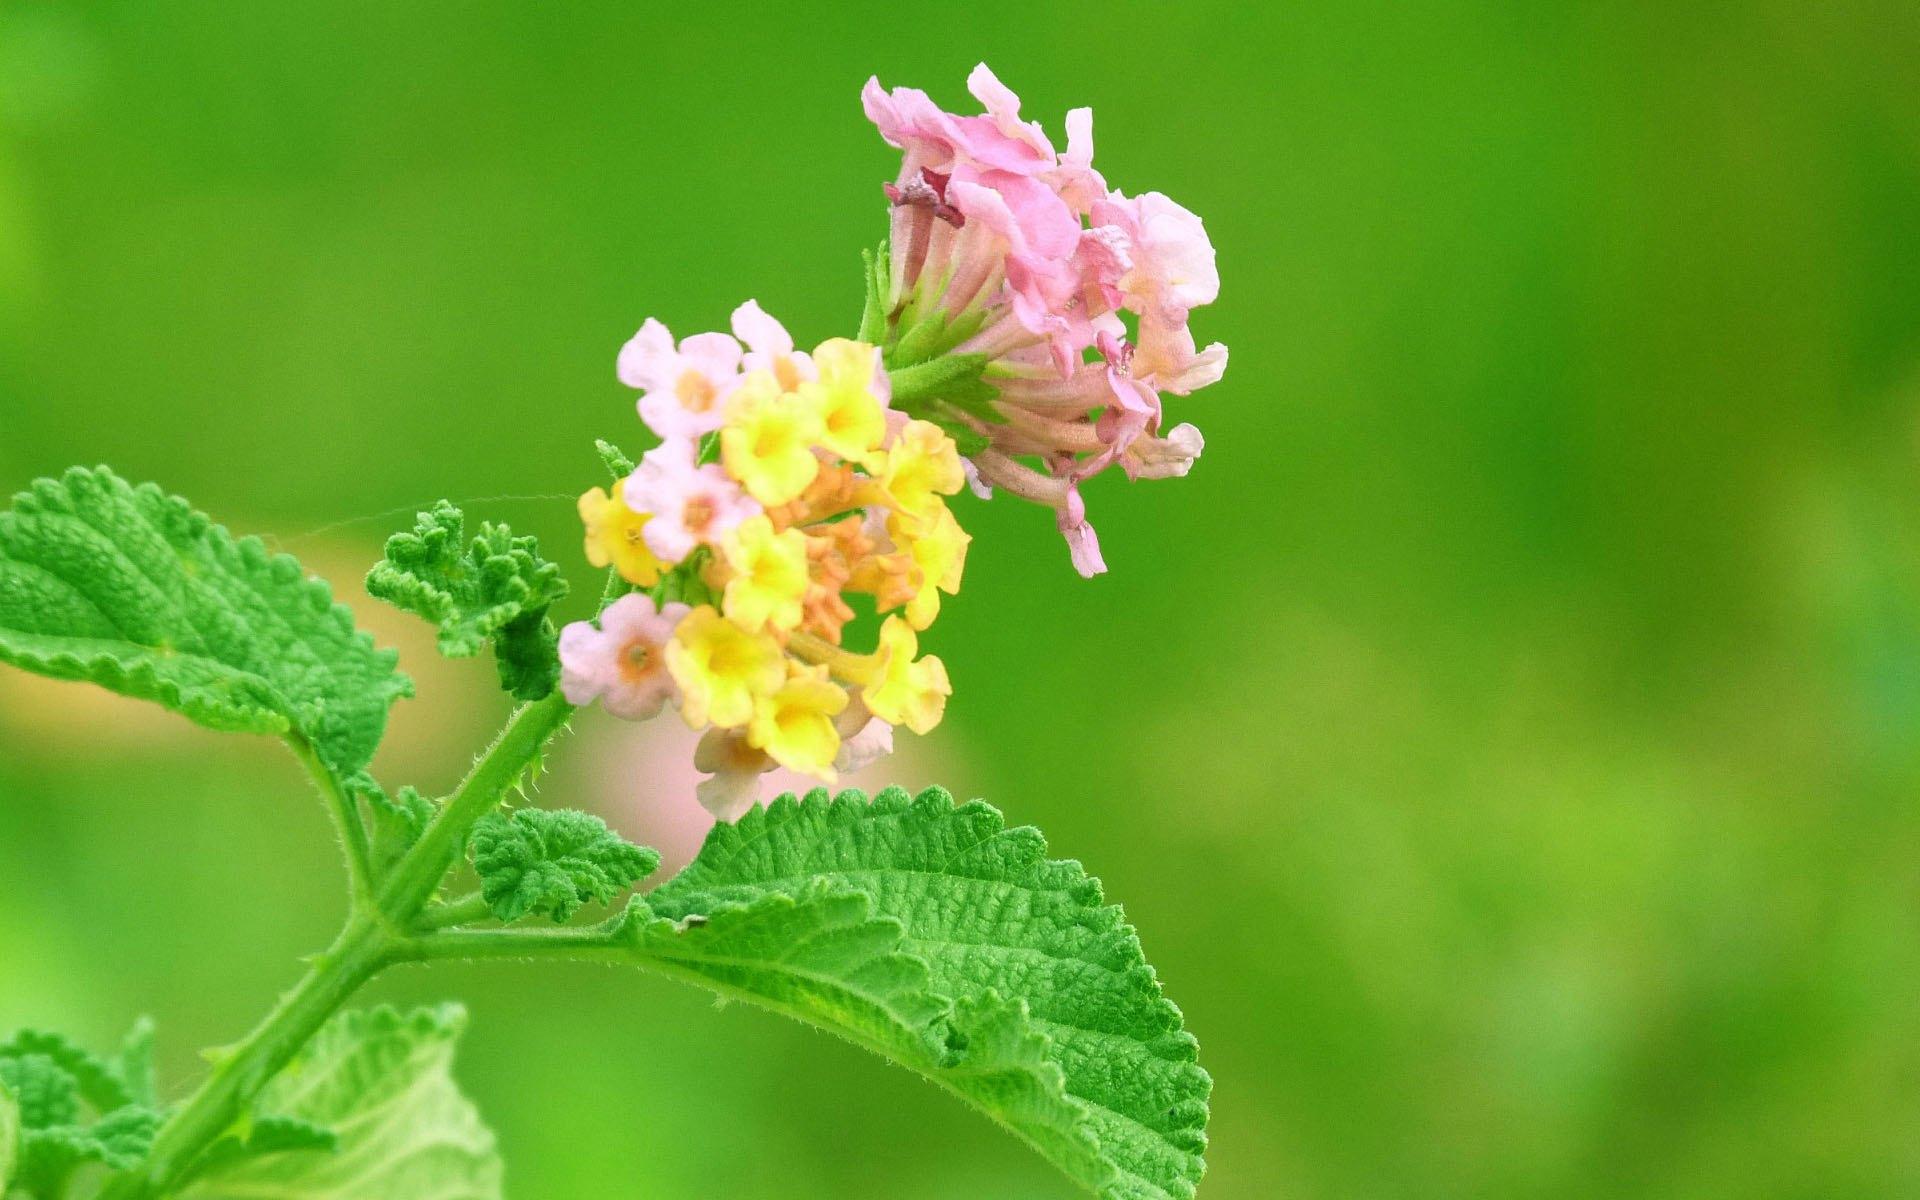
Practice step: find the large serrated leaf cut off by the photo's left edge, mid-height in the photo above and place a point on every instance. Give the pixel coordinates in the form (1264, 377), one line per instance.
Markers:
(133, 590)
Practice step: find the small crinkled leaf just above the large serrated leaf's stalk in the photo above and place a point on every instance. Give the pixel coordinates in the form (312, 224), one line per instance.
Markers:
(554, 861)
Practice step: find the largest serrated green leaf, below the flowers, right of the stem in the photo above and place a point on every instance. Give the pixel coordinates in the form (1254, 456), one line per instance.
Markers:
(934, 934)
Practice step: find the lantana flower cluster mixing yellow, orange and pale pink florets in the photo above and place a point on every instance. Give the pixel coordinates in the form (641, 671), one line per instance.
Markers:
(782, 485)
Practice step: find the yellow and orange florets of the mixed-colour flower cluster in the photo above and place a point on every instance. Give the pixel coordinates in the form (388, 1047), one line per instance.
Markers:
(850, 502)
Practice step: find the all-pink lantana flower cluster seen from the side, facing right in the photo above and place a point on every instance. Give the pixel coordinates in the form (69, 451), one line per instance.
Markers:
(1024, 254)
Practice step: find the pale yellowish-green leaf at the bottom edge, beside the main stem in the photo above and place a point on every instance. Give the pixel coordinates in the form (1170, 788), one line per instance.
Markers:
(383, 1084)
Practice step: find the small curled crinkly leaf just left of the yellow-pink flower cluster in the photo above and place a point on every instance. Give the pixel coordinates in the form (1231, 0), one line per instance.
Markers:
(496, 588)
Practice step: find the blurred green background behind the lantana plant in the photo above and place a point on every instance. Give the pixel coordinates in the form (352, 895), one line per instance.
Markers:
(1506, 740)
